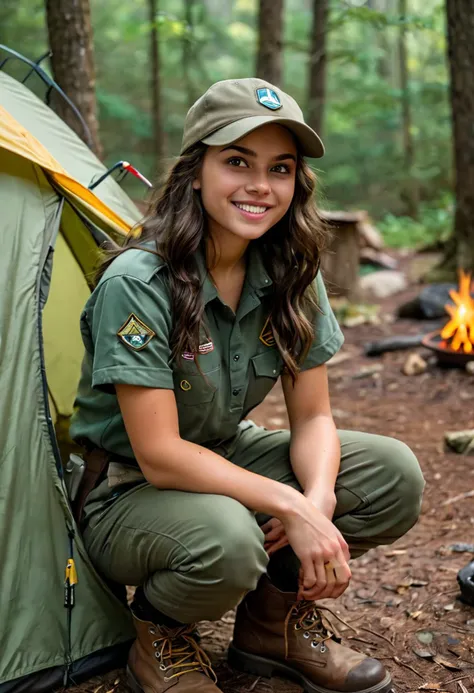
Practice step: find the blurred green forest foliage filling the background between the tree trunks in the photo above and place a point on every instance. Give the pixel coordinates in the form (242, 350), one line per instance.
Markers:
(364, 164)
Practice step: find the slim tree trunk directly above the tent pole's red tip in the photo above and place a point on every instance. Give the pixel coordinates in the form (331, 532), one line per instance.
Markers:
(155, 88)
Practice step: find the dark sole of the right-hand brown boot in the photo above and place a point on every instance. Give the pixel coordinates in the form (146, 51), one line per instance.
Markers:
(260, 666)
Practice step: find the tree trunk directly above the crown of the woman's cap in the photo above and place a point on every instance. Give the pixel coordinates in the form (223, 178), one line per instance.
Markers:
(270, 41)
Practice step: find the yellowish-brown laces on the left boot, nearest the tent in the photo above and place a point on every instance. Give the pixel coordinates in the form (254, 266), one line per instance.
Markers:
(178, 652)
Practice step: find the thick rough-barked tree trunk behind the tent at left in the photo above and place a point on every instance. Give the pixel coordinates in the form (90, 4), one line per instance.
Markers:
(70, 40)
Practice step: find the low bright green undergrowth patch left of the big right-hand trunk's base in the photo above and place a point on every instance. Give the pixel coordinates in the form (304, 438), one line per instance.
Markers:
(434, 224)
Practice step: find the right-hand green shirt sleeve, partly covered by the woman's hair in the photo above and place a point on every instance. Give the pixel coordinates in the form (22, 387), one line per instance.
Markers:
(328, 337)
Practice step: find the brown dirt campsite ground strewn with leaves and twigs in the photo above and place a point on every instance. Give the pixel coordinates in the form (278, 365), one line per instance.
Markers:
(403, 598)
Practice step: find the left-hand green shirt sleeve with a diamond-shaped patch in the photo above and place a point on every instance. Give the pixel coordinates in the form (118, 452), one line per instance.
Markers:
(126, 327)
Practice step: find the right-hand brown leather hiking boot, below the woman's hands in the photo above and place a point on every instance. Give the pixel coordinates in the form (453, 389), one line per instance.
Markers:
(277, 635)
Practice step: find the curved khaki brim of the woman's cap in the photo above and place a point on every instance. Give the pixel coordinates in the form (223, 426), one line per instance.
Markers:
(308, 141)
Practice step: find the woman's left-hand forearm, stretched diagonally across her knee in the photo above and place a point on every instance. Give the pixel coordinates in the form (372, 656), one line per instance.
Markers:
(186, 466)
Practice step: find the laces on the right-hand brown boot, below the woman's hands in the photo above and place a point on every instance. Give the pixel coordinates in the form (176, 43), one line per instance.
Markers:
(312, 620)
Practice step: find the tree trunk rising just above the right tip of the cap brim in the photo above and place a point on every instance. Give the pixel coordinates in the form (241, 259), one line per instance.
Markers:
(317, 65)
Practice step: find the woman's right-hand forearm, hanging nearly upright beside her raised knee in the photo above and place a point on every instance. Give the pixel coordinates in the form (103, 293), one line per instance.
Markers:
(315, 455)
